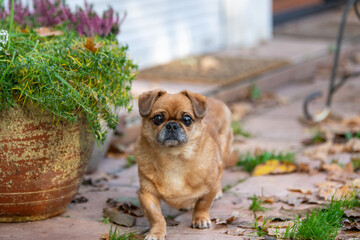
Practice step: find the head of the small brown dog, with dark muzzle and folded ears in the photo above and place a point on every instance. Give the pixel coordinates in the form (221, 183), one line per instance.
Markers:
(171, 119)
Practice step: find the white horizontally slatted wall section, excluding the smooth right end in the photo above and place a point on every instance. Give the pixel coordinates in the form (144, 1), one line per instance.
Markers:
(158, 31)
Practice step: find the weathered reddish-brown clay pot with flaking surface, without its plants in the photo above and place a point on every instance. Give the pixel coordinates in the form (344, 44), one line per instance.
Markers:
(42, 162)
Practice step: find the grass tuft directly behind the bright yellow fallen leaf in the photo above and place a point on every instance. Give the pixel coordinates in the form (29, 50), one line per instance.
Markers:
(249, 162)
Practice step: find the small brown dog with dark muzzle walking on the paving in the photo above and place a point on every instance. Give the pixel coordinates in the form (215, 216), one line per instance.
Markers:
(185, 142)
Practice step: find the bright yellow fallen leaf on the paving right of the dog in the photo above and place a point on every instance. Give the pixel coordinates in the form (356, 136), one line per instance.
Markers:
(273, 167)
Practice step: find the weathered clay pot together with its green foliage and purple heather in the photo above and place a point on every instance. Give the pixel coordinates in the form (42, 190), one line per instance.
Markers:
(56, 84)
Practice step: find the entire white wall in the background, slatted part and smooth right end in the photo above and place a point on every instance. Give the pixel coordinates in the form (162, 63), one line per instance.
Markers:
(158, 31)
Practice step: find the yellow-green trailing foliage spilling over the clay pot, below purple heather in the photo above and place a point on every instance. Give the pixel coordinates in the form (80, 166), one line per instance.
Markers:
(63, 77)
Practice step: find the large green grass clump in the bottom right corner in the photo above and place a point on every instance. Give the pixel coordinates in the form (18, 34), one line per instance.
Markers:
(323, 223)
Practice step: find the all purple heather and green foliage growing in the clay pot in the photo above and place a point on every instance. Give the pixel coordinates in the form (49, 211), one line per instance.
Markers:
(67, 62)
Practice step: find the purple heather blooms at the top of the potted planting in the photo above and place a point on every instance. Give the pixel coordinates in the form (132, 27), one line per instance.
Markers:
(54, 12)
